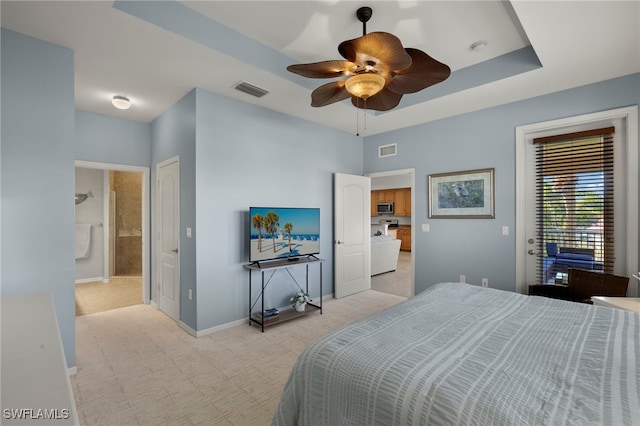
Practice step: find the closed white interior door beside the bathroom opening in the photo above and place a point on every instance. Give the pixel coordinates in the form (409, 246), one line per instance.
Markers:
(169, 238)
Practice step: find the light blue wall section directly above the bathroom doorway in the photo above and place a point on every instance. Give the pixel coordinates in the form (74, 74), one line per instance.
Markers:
(112, 140)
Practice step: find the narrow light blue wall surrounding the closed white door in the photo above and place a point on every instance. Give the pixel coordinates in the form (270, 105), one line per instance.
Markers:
(173, 134)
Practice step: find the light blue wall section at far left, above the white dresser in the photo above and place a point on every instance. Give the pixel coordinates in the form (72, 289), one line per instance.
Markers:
(38, 175)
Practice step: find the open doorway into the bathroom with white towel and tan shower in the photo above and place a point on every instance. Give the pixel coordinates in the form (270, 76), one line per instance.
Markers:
(111, 216)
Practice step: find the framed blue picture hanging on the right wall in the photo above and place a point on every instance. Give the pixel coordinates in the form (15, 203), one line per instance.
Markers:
(468, 194)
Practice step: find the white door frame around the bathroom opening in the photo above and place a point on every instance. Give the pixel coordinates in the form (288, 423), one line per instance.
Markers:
(146, 247)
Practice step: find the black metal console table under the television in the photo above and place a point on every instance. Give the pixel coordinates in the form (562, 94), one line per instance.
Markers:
(271, 268)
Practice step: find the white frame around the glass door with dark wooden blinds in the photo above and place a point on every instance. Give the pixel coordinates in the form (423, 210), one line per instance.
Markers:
(629, 123)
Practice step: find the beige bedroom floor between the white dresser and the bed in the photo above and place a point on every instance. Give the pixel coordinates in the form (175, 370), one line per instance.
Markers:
(136, 366)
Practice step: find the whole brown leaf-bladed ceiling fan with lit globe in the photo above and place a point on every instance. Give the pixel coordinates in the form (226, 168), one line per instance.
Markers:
(378, 68)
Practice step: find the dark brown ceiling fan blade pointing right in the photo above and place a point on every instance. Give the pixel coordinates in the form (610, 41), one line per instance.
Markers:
(423, 72)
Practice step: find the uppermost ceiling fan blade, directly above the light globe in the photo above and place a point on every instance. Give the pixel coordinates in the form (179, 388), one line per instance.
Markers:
(382, 51)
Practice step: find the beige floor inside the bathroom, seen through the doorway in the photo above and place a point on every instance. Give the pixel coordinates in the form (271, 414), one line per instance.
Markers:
(99, 297)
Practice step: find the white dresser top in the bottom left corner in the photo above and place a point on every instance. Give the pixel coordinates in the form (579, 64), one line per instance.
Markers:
(35, 384)
